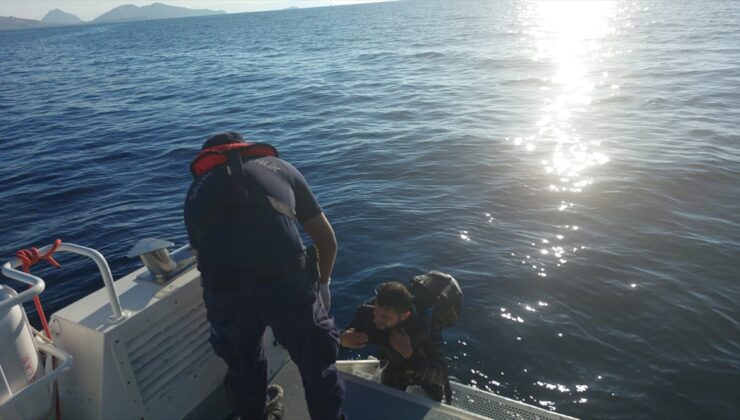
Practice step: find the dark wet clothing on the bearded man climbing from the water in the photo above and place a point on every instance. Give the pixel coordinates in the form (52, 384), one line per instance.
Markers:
(427, 366)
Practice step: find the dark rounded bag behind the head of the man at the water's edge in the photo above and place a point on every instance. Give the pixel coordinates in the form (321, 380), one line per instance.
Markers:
(439, 293)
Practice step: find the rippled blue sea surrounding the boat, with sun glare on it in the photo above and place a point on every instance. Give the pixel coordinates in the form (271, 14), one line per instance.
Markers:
(575, 165)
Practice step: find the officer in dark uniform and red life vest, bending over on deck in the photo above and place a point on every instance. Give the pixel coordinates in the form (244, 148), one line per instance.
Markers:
(241, 212)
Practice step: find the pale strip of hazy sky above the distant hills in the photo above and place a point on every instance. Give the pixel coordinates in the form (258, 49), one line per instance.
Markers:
(90, 9)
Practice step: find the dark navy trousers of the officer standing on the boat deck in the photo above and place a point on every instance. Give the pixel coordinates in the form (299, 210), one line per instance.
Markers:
(240, 304)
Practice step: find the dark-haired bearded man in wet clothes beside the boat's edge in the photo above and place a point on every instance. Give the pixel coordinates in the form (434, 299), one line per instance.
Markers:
(408, 345)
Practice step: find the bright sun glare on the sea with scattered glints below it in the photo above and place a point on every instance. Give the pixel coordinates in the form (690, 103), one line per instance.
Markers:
(569, 39)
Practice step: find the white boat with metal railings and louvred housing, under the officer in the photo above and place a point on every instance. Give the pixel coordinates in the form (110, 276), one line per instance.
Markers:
(138, 348)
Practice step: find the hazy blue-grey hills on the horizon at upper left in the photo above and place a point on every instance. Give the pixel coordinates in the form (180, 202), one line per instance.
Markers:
(125, 13)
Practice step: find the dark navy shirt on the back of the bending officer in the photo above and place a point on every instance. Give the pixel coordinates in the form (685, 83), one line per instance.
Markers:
(241, 235)
